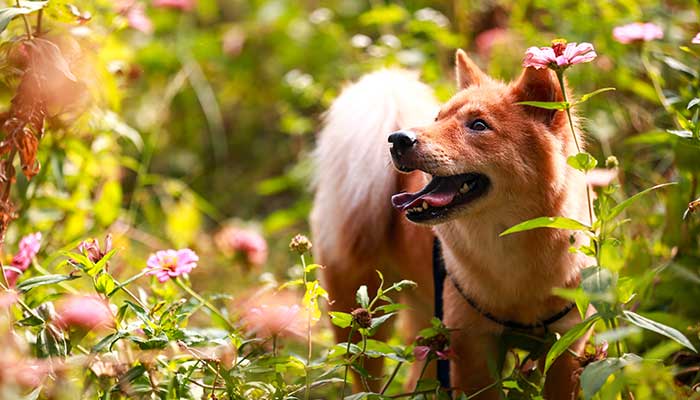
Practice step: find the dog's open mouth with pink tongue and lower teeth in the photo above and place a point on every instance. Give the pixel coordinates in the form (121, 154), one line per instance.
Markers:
(442, 195)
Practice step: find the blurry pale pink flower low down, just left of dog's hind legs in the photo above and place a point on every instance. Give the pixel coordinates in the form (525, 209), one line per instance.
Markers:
(274, 315)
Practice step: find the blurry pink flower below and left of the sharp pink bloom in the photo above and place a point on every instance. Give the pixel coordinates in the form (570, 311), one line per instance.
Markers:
(87, 312)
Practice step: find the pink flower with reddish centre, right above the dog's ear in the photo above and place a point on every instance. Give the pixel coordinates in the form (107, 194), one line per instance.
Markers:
(559, 56)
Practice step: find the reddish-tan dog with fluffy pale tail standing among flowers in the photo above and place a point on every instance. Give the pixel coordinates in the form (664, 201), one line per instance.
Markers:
(464, 171)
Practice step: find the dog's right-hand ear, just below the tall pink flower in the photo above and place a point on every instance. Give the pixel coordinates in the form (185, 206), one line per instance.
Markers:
(539, 85)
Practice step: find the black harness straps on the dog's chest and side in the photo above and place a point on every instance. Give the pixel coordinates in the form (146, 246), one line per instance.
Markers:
(439, 275)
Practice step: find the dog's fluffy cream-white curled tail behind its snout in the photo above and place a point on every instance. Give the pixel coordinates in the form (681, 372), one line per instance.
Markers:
(354, 177)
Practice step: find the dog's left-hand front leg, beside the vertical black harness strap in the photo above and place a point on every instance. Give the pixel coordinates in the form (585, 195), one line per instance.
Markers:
(476, 363)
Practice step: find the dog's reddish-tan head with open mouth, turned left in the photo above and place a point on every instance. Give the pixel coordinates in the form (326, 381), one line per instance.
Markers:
(484, 149)
